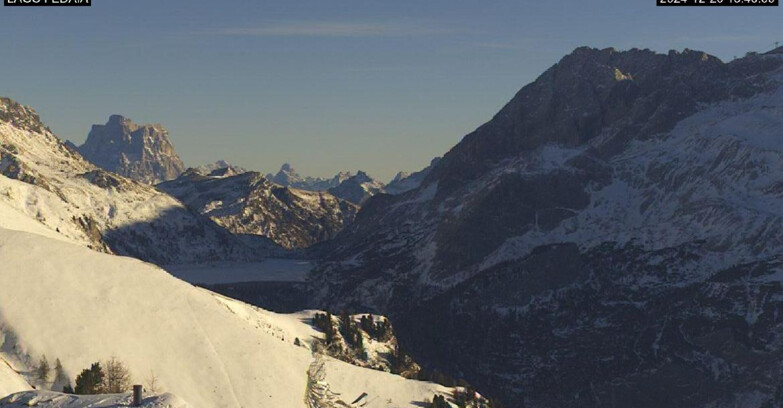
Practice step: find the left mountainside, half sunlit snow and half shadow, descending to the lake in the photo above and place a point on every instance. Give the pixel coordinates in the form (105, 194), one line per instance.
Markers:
(41, 177)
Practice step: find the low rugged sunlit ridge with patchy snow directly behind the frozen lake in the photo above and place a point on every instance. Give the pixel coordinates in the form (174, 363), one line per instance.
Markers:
(248, 204)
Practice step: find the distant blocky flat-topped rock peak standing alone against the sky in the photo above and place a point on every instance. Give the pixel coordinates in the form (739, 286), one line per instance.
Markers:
(140, 152)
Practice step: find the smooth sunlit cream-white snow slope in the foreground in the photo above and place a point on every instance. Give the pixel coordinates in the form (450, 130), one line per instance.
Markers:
(81, 306)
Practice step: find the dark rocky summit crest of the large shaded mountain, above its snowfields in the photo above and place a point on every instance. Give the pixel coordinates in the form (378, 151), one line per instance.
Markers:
(620, 95)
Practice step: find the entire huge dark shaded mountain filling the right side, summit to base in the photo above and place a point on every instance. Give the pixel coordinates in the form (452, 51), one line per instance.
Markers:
(610, 238)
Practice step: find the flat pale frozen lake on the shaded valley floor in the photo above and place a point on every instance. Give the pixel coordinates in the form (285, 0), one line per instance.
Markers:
(269, 270)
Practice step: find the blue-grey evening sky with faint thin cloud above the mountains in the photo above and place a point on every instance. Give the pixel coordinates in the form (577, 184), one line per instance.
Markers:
(327, 85)
